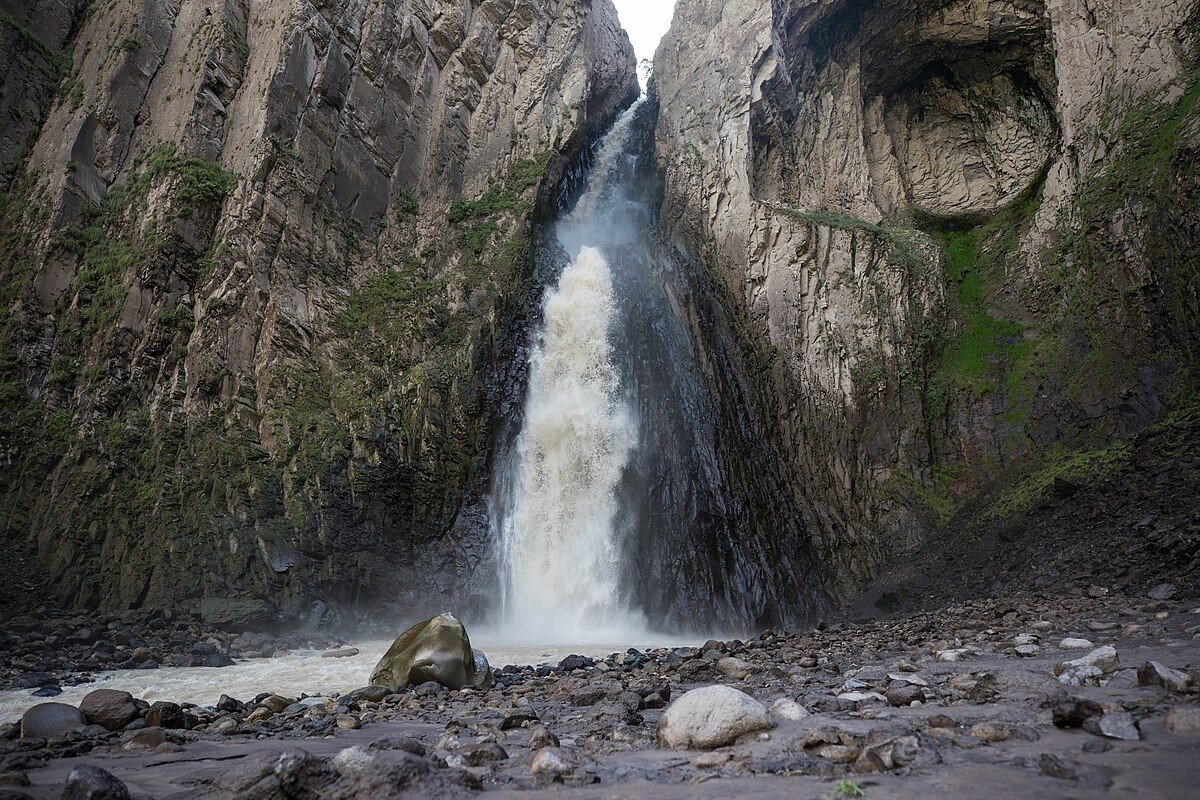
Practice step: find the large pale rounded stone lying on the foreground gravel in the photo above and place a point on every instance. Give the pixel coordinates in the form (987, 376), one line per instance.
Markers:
(711, 717)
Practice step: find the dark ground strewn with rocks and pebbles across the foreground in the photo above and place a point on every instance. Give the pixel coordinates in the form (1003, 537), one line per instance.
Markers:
(1036, 695)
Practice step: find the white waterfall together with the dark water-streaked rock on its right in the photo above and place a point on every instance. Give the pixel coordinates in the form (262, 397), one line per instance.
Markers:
(638, 494)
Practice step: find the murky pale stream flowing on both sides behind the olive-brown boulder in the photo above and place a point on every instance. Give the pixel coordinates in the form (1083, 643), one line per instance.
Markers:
(292, 675)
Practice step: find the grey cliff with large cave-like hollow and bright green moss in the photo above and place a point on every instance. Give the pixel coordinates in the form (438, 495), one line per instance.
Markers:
(961, 236)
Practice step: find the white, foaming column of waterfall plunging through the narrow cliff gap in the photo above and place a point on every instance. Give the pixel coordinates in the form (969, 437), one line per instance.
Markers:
(561, 550)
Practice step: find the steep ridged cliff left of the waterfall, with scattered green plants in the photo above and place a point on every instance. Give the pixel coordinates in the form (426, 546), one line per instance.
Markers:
(266, 274)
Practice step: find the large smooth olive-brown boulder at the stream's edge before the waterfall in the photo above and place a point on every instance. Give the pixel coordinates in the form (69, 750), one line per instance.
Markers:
(435, 651)
